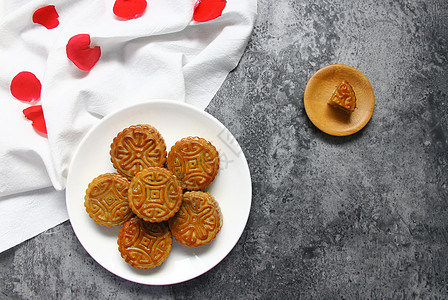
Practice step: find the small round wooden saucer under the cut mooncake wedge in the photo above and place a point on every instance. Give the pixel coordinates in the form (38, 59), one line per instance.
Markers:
(333, 121)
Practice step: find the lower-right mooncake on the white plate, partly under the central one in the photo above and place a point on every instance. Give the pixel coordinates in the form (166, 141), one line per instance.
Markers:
(198, 221)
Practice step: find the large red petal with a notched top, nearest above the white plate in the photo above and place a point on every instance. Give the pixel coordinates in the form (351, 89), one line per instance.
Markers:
(80, 53)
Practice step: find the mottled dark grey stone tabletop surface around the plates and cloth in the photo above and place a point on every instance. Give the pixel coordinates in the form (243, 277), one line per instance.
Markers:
(364, 216)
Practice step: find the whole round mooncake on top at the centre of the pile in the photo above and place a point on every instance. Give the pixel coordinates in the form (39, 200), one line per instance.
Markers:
(155, 194)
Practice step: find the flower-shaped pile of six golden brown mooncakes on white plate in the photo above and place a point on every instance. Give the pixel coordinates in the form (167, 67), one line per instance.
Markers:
(156, 195)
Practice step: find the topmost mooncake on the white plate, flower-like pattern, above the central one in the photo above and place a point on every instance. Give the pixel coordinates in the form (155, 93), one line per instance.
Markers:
(136, 148)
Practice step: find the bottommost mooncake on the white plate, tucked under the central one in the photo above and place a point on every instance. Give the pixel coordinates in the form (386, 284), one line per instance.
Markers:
(144, 245)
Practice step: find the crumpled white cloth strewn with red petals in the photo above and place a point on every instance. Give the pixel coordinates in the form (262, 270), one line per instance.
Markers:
(161, 55)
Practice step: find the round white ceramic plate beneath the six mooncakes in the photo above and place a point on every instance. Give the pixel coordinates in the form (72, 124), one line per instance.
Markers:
(232, 188)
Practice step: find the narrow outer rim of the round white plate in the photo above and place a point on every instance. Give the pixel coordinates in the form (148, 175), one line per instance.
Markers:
(135, 106)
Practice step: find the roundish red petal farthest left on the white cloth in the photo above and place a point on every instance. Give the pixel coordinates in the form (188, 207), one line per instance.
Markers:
(26, 87)
